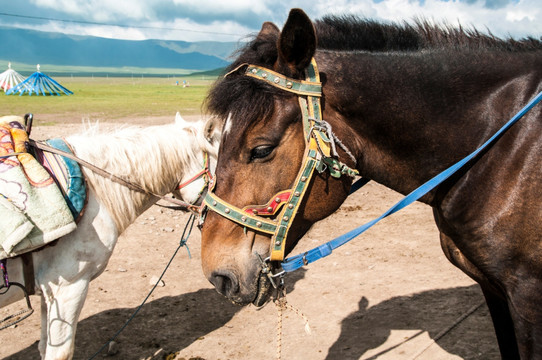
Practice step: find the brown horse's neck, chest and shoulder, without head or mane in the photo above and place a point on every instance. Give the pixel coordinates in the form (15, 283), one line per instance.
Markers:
(486, 215)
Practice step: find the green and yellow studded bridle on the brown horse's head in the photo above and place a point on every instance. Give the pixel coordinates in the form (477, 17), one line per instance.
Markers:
(277, 215)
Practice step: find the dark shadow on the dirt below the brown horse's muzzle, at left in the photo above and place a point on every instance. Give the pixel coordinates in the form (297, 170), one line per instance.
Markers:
(167, 324)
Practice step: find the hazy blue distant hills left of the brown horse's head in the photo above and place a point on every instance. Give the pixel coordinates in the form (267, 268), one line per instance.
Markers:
(33, 47)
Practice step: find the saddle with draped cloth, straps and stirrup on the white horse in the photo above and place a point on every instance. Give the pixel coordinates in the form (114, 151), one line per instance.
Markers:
(42, 197)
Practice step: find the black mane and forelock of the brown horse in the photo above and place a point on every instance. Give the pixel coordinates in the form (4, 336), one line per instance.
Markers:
(249, 99)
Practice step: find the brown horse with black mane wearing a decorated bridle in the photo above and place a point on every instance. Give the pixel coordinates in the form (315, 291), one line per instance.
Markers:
(405, 102)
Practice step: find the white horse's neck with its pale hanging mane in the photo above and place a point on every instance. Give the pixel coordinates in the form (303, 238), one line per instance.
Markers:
(153, 158)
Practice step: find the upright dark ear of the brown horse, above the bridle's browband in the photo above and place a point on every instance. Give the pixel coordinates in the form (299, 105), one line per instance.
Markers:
(297, 43)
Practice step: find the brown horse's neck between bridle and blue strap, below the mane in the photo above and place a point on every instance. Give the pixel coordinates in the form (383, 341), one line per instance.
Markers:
(415, 114)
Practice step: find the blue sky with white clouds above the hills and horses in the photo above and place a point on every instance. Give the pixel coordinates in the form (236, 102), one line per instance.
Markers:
(233, 20)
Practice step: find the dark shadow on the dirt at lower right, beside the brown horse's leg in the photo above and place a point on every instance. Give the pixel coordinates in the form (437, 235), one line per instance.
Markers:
(433, 312)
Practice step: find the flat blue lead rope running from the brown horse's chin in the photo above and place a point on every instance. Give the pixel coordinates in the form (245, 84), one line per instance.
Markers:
(295, 262)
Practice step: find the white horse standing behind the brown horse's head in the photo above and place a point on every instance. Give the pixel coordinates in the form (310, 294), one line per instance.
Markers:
(157, 158)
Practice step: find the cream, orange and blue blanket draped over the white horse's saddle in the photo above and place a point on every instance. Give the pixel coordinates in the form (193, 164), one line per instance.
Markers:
(33, 209)
